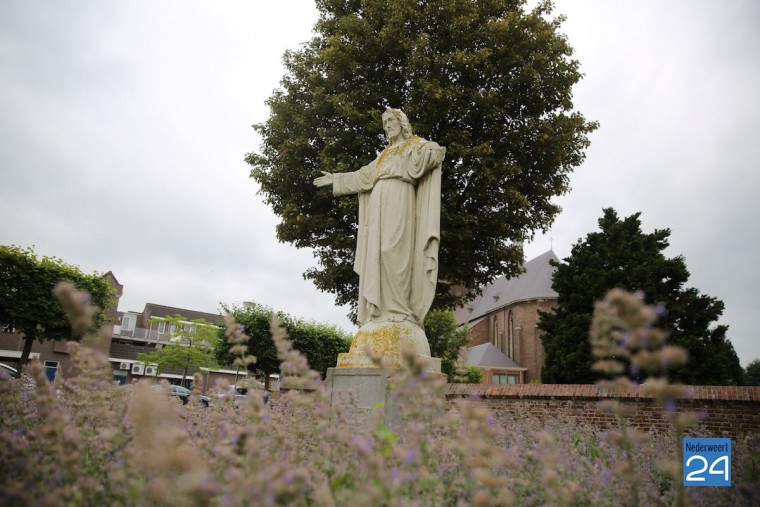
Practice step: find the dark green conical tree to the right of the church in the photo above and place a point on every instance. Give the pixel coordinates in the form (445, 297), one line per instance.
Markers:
(621, 255)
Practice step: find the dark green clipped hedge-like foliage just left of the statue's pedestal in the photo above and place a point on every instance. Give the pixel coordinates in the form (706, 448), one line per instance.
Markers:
(320, 343)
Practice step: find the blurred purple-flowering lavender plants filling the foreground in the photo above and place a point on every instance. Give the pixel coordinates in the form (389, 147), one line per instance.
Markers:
(92, 443)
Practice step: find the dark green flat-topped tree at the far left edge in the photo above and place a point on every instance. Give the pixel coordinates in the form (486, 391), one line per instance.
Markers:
(27, 303)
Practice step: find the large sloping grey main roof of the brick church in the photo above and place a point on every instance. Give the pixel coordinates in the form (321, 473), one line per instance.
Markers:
(534, 283)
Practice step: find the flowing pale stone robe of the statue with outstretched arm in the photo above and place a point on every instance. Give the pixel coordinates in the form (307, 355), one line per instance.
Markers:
(399, 230)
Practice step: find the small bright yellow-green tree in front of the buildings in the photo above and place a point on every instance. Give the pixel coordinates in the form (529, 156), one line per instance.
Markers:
(193, 345)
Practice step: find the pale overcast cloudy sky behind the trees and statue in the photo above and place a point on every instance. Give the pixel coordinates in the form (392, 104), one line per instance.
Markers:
(123, 127)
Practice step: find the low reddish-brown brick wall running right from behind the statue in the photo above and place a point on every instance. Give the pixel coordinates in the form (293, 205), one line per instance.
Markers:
(731, 411)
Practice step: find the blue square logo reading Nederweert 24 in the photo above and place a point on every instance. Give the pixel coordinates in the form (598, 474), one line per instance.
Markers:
(706, 461)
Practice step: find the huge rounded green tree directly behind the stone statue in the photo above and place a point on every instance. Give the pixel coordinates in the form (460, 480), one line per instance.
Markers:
(487, 79)
